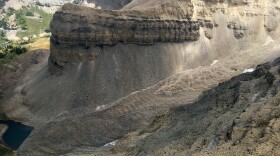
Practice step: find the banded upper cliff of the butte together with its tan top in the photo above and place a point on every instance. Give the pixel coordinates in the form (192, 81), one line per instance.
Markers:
(103, 27)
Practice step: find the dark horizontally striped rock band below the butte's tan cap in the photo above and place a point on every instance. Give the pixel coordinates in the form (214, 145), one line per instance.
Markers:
(112, 31)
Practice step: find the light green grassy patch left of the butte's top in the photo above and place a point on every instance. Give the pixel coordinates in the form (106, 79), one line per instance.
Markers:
(33, 20)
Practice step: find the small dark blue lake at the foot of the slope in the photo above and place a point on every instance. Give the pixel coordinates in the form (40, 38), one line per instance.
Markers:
(15, 134)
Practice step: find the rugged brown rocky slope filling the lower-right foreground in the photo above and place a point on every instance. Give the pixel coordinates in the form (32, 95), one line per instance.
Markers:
(240, 116)
